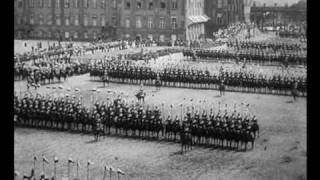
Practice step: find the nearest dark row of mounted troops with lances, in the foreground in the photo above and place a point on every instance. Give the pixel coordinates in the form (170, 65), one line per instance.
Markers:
(121, 118)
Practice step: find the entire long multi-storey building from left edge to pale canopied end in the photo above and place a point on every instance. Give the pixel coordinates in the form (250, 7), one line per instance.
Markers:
(163, 20)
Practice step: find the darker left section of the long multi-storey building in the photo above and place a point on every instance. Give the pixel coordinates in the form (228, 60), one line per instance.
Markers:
(64, 19)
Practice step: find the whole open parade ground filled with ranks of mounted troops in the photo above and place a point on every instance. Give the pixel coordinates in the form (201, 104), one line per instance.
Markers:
(160, 112)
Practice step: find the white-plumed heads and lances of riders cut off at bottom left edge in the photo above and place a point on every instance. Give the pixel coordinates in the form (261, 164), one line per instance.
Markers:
(70, 164)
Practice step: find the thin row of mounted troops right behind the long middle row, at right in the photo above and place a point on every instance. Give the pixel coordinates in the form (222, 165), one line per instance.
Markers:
(257, 57)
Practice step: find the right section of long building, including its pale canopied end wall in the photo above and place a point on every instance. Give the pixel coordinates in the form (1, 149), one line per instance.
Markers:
(163, 20)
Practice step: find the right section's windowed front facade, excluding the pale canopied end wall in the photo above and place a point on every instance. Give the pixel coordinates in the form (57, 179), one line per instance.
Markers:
(152, 19)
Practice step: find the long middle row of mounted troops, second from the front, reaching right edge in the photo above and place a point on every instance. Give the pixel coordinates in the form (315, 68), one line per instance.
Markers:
(235, 80)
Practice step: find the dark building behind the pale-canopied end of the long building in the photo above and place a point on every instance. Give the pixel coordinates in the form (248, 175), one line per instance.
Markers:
(223, 13)
